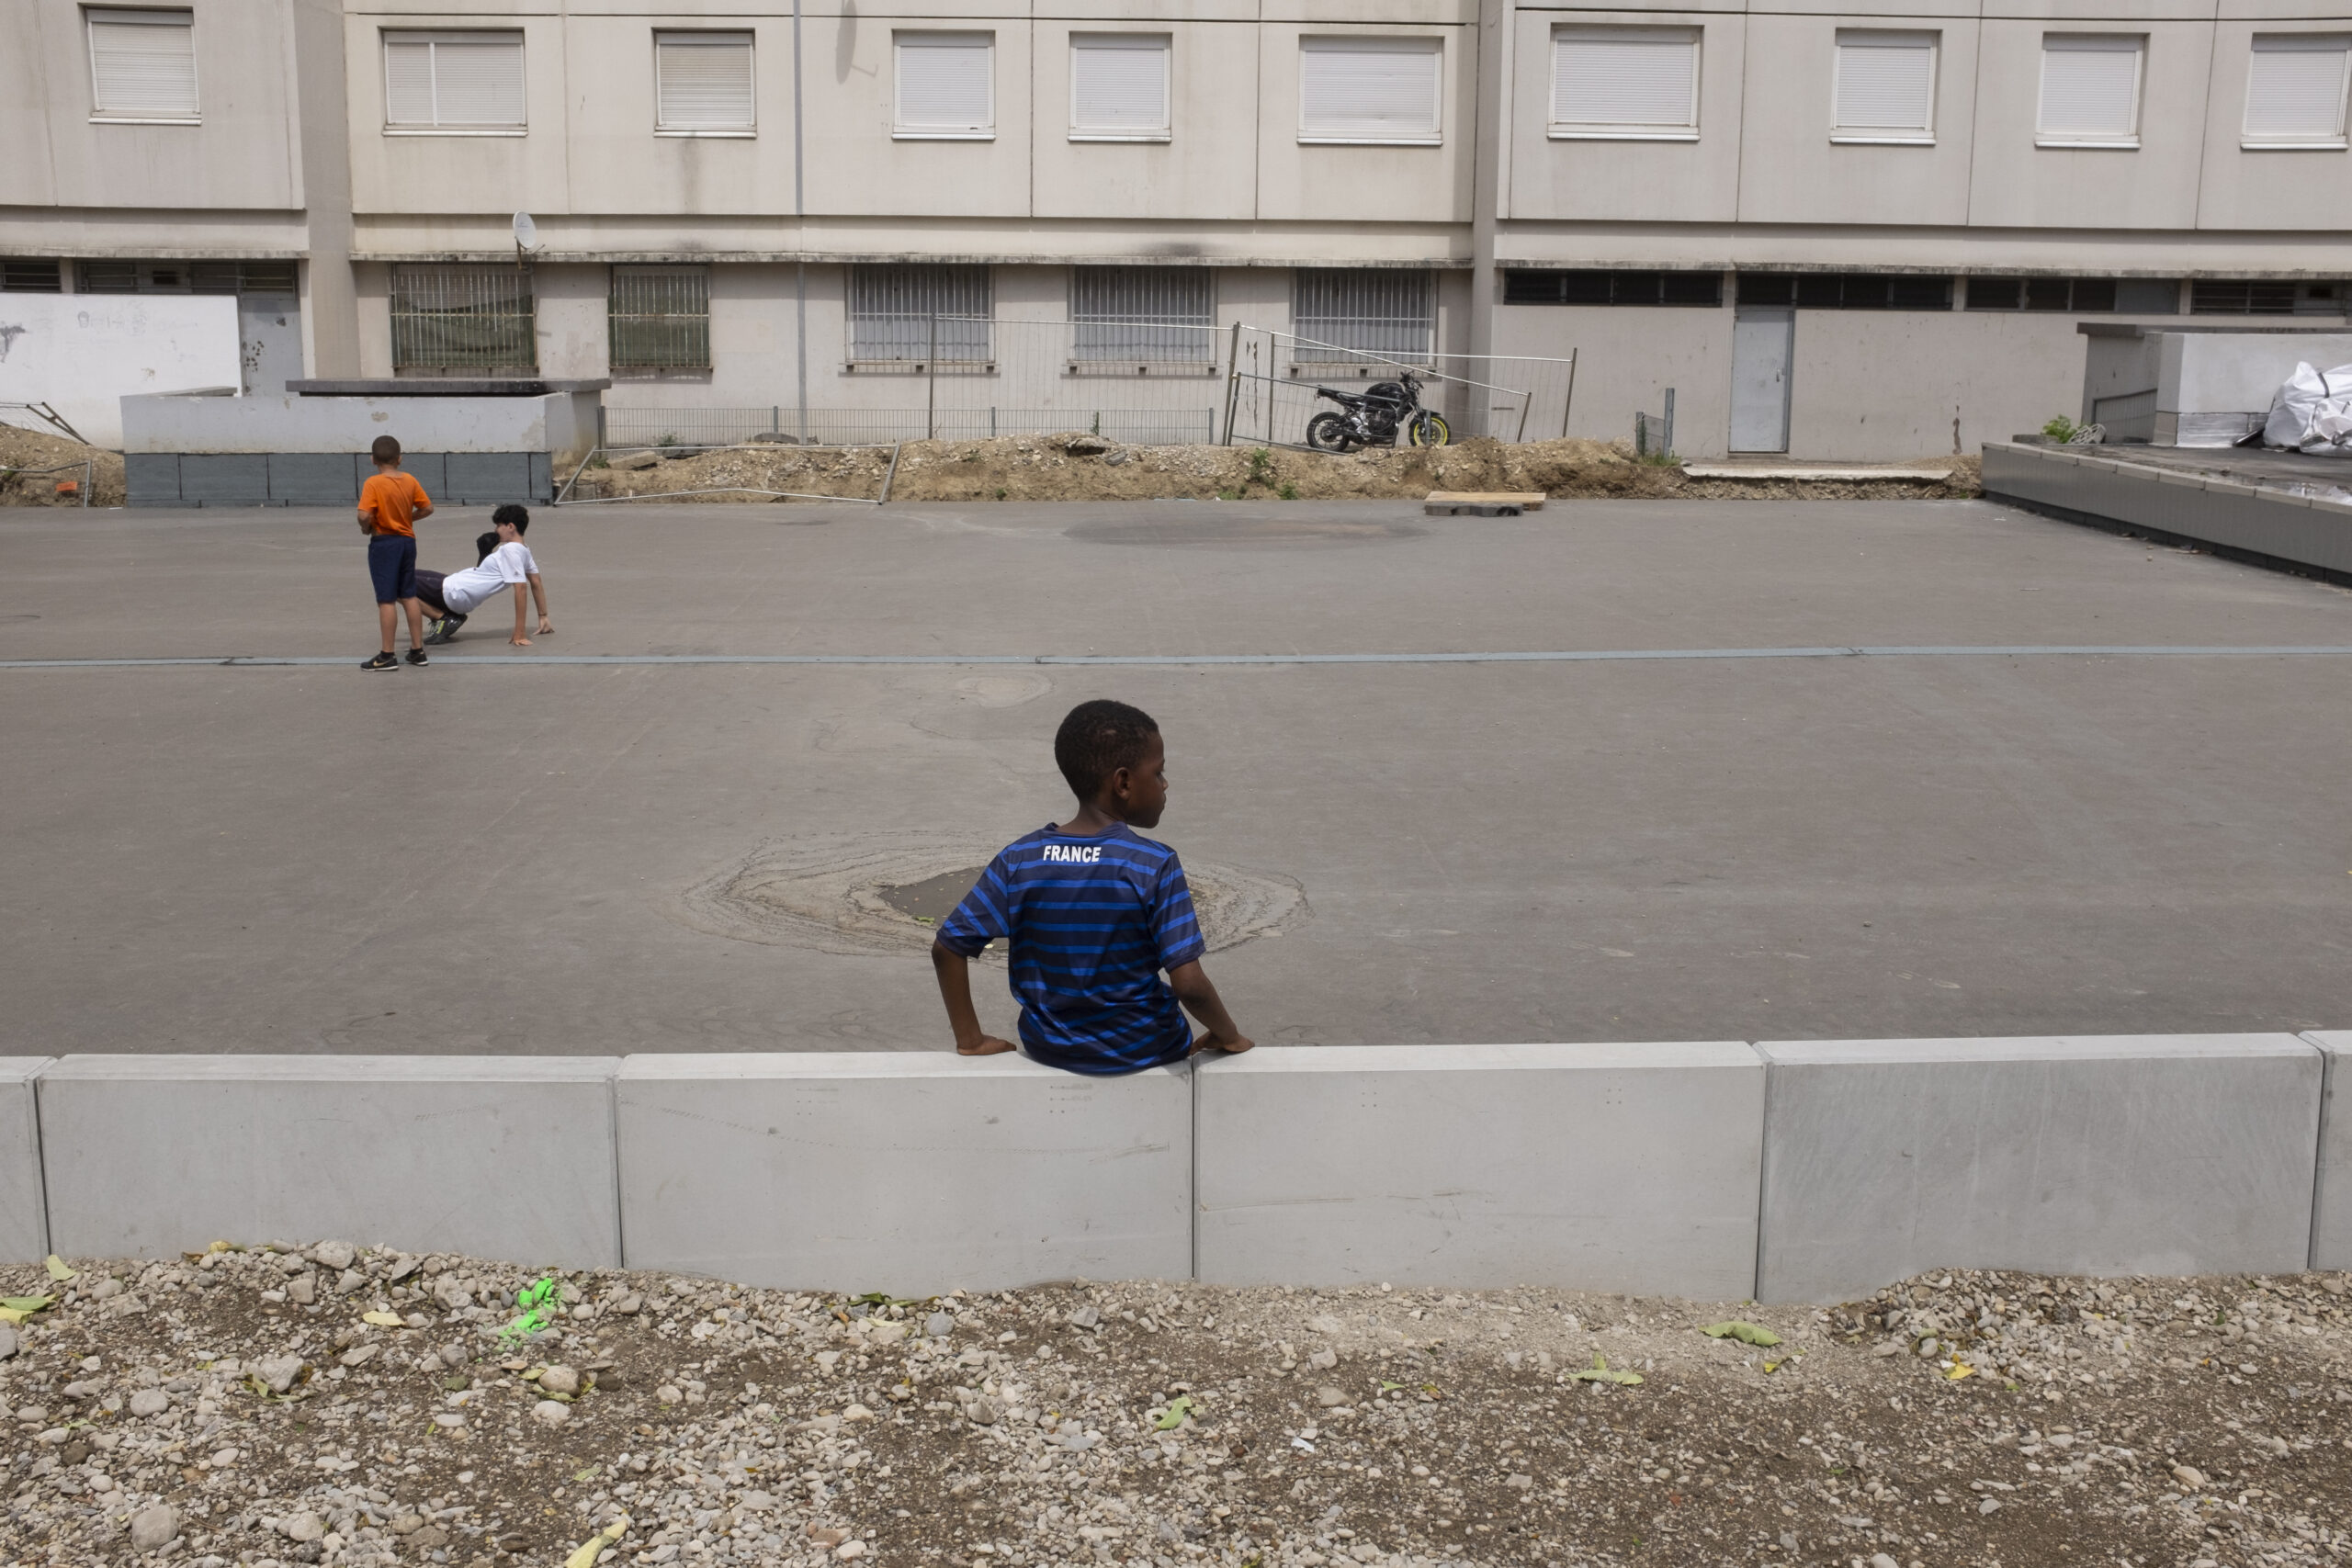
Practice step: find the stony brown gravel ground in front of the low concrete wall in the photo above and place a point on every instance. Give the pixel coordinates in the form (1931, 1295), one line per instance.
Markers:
(243, 1409)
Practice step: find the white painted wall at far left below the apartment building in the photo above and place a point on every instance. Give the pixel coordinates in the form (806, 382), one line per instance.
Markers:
(83, 354)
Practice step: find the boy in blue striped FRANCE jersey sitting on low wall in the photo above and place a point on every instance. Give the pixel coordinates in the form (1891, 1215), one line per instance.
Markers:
(1093, 916)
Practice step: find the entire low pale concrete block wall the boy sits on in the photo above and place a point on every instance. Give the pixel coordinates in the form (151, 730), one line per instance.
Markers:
(1798, 1172)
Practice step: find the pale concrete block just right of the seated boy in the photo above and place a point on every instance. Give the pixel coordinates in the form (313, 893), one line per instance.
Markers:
(1584, 1167)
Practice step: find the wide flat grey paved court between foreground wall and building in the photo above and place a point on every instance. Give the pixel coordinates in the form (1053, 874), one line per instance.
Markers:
(488, 857)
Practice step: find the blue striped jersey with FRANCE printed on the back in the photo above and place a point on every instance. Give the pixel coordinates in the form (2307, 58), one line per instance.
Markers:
(1093, 923)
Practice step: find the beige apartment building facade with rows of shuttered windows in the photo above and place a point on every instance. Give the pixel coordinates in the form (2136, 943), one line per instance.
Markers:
(1833, 234)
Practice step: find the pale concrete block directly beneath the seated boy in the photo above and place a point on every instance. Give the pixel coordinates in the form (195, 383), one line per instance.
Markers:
(904, 1172)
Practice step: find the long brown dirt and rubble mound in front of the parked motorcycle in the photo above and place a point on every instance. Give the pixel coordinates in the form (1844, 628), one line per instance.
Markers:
(1090, 469)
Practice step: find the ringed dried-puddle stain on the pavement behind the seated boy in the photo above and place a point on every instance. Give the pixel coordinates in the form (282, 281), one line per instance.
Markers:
(886, 894)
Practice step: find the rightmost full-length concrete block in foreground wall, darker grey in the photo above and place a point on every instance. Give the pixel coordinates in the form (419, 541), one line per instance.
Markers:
(2078, 1155)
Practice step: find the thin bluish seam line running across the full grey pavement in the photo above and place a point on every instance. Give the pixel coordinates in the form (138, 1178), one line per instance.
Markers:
(1499, 657)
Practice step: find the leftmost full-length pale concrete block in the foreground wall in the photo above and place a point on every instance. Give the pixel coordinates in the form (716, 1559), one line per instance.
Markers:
(500, 1158)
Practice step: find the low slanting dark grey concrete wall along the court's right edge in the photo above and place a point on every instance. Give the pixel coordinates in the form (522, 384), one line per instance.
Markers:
(2217, 511)
